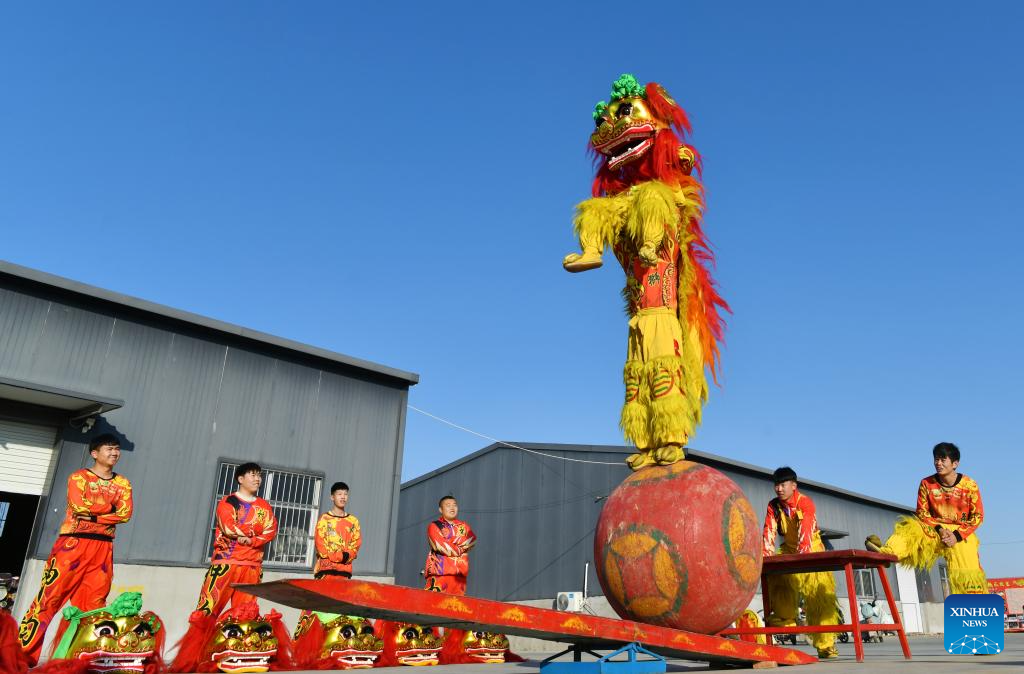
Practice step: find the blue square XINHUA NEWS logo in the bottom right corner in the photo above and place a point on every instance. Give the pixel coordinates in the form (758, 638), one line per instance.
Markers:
(973, 624)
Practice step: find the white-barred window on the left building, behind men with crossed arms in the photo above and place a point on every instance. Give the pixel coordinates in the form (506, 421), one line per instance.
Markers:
(295, 499)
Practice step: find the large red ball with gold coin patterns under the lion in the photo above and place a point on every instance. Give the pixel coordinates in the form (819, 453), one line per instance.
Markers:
(679, 546)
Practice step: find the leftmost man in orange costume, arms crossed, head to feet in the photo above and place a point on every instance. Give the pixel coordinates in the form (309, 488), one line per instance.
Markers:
(81, 564)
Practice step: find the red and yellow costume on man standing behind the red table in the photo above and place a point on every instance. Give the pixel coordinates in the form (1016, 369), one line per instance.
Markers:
(796, 522)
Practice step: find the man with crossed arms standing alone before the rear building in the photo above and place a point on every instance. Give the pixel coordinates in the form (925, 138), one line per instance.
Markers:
(451, 541)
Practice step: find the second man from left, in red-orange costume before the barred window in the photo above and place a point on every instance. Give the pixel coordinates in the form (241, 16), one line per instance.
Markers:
(245, 525)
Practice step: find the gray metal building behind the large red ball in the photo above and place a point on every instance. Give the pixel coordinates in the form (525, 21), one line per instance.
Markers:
(535, 513)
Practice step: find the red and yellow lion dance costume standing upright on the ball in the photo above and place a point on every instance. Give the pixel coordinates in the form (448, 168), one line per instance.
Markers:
(648, 205)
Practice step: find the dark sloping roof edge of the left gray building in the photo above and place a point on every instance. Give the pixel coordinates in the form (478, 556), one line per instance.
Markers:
(167, 313)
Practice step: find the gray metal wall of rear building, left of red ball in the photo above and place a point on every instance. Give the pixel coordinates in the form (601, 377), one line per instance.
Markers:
(535, 518)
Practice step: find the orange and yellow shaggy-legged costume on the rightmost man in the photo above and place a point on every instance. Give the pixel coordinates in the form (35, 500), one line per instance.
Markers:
(958, 509)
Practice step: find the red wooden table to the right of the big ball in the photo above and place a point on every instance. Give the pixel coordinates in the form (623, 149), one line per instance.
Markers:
(845, 561)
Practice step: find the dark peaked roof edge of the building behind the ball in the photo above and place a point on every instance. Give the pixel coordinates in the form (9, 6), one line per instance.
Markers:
(621, 450)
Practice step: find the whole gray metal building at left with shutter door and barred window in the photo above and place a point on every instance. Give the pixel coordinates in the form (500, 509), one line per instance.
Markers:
(190, 398)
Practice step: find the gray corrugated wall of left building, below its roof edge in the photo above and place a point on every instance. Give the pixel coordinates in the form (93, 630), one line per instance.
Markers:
(193, 397)
